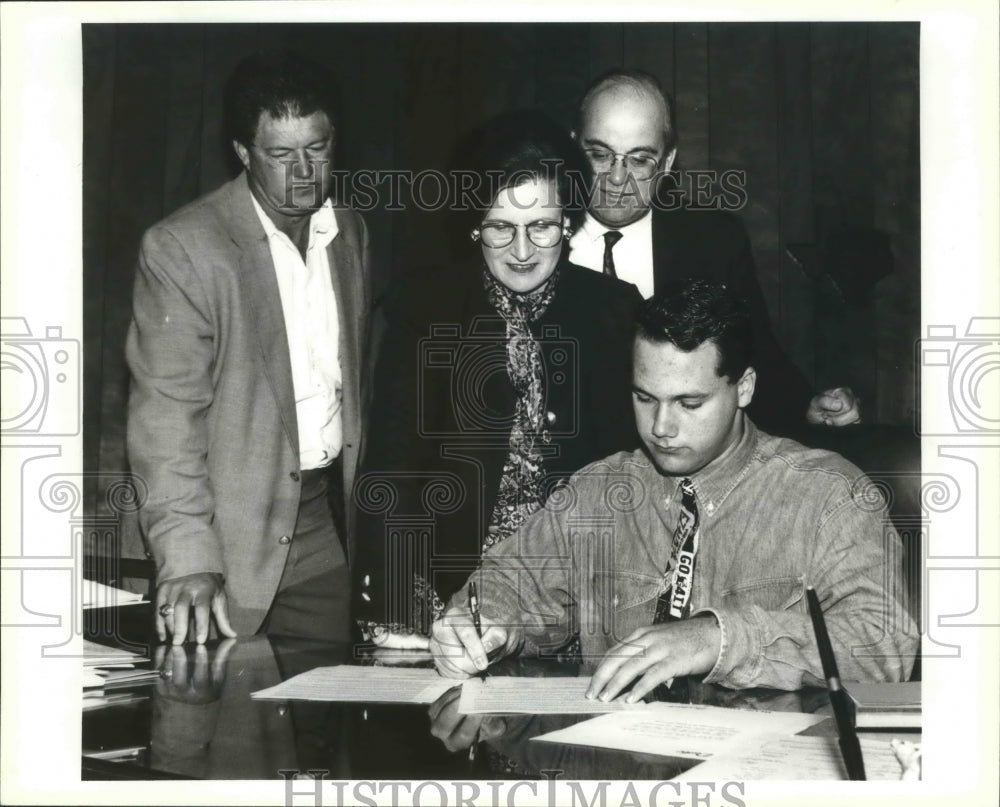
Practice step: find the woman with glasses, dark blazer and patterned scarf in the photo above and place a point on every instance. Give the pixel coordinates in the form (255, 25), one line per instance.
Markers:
(497, 379)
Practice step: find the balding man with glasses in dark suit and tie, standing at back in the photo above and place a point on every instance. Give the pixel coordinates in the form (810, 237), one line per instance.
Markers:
(625, 126)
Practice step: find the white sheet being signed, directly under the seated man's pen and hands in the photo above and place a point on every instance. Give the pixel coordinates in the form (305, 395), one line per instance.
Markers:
(541, 696)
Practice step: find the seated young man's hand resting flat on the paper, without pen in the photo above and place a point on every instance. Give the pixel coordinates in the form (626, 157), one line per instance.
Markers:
(657, 653)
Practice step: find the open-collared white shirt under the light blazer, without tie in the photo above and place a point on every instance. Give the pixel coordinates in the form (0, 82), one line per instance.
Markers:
(309, 306)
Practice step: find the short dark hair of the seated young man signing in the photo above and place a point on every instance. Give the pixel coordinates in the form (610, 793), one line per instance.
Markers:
(701, 311)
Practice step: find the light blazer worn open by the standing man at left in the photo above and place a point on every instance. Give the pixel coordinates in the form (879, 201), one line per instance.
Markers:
(211, 418)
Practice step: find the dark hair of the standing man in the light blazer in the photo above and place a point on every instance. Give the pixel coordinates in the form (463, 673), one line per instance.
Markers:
(284, 83)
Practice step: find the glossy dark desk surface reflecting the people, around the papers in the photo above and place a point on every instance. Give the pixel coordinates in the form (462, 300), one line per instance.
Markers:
(202, 723)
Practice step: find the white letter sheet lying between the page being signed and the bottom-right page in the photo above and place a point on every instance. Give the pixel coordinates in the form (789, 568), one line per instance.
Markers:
(680, 730)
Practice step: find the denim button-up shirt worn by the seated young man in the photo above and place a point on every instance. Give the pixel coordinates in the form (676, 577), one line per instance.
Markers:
(775, 517)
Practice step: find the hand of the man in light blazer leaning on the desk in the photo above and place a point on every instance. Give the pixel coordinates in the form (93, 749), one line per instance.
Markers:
(175, 599)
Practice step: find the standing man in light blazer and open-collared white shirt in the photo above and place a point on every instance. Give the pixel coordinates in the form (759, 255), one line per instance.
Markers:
(248, 351)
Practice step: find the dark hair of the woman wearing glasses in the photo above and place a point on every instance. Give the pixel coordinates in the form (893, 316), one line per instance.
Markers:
(522, 145)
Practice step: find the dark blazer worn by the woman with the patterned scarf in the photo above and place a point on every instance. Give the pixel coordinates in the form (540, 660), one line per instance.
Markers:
(442, 412)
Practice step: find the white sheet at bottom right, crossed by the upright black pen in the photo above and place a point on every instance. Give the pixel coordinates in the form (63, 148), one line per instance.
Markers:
(795, 758)
